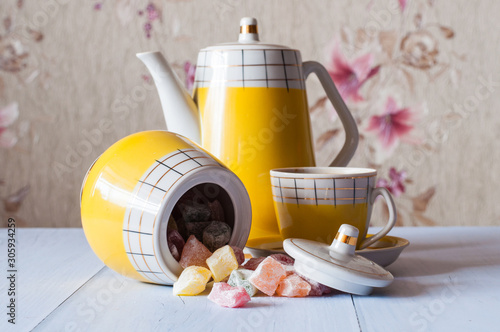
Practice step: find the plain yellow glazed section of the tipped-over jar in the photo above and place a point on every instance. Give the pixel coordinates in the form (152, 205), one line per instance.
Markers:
(108, 188)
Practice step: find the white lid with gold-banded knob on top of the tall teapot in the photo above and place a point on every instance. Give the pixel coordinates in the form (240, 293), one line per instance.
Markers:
(248, 39)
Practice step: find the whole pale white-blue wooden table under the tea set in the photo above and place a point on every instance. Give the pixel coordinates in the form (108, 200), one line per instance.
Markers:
(448, 279)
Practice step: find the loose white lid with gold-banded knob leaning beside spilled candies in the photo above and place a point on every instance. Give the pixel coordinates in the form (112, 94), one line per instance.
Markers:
(337, 265)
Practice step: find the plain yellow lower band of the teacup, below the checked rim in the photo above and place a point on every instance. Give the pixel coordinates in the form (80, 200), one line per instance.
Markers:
(320, 222)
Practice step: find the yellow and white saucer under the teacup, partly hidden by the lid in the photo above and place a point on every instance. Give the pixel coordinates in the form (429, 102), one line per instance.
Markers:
(384, 252)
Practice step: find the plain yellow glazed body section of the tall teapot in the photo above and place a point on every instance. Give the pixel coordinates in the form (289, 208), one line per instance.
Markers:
(253, 130)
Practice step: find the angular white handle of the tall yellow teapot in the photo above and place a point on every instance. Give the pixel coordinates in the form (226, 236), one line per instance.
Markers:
(351, 129)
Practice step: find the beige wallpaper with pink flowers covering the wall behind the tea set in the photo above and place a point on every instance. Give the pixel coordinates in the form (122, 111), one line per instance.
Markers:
(420, 77)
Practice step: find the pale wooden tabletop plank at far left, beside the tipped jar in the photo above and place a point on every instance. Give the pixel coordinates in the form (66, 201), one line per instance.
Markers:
(51, 265)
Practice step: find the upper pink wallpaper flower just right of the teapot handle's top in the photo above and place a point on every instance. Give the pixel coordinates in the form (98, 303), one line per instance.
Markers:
(349, 77)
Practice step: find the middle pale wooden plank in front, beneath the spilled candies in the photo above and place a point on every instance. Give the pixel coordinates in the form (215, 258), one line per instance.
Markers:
(110, 302)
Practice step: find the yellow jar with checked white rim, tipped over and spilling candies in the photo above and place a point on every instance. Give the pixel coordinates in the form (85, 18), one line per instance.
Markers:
(142, 182)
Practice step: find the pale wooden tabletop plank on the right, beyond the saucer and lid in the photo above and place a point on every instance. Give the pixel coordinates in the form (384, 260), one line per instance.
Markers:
(448, 279)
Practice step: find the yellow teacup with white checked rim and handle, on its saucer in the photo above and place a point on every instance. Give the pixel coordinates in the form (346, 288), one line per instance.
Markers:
(312, 202)
